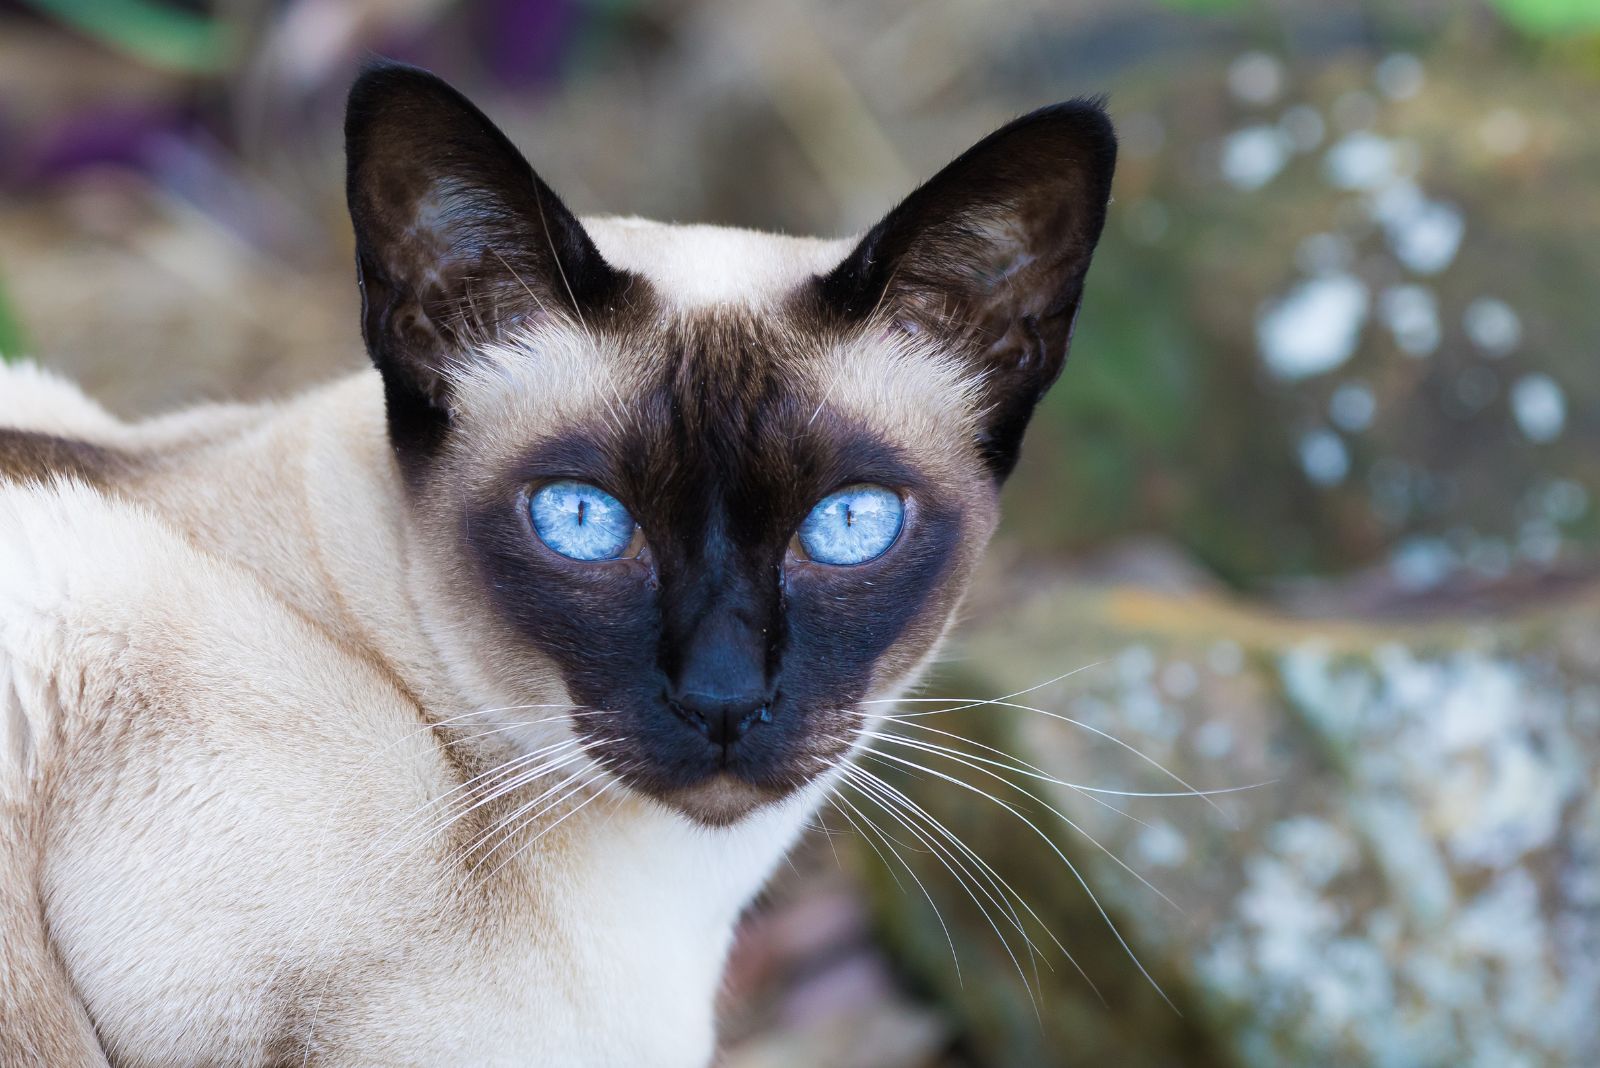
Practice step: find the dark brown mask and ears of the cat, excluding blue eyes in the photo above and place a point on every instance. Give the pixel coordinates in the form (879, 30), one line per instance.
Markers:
(716, 648)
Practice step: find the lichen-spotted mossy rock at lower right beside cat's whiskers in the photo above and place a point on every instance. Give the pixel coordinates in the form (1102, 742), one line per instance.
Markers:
(1415, 885)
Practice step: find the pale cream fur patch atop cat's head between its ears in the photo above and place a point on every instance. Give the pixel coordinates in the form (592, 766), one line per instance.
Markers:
(708, 268)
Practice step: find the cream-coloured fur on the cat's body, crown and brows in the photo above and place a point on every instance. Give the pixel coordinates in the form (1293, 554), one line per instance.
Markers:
(217, 683)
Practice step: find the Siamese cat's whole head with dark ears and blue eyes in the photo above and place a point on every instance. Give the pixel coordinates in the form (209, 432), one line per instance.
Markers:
(705, 490)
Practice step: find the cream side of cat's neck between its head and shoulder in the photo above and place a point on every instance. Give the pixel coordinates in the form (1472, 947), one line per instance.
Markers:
(306, 496)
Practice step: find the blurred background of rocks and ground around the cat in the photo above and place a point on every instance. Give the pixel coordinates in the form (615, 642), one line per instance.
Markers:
(1310, 520)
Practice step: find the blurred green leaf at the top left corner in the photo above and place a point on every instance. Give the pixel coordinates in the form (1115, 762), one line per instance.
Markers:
(151, 33)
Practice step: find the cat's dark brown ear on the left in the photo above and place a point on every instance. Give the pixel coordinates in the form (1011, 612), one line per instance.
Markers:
(457, 241)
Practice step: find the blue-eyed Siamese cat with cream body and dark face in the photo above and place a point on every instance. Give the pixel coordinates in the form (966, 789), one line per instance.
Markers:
(452, 712)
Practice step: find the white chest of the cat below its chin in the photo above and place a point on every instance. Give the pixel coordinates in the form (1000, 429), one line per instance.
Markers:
(617, 963)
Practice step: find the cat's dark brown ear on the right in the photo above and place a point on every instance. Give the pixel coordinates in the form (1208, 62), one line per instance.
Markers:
(993, 253)
